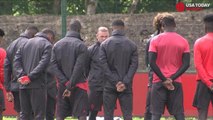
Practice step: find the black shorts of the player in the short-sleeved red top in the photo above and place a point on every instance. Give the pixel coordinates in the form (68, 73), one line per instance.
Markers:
(162, 97)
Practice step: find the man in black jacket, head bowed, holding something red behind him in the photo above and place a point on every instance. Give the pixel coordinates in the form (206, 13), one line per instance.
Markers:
(30, 63)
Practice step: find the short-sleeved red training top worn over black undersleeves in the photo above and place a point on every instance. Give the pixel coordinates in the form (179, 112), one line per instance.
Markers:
(169, 47)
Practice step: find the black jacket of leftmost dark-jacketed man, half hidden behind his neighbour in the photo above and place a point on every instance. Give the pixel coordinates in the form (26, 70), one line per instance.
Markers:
(10, 79)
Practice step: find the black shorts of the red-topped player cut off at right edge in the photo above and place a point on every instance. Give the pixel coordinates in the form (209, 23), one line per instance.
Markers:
(203, 96)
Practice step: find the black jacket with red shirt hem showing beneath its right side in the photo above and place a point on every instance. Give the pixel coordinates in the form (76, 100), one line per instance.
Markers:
(69, 58)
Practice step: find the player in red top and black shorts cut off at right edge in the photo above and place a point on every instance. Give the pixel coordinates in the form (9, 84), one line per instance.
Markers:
(203, 60)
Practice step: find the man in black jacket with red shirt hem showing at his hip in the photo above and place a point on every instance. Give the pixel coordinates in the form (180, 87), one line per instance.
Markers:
(68, 62)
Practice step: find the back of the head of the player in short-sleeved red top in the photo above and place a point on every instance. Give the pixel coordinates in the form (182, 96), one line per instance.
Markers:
(168, 21)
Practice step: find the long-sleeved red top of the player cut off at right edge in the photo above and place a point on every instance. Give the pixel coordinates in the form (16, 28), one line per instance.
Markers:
(203, 58)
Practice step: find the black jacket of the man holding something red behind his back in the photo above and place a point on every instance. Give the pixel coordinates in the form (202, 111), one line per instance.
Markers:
(32, 60)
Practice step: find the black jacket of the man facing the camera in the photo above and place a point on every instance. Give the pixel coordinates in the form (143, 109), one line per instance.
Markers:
(96, 74)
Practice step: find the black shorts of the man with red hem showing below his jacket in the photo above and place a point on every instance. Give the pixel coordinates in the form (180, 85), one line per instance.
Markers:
(76, 105)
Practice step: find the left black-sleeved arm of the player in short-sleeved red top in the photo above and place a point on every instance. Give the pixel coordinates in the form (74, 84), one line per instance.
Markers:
(154, 66)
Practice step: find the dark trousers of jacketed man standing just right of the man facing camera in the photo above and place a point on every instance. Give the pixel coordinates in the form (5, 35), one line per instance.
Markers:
(109, 100)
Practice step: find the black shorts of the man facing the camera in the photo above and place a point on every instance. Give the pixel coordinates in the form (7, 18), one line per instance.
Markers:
(95, 100)
